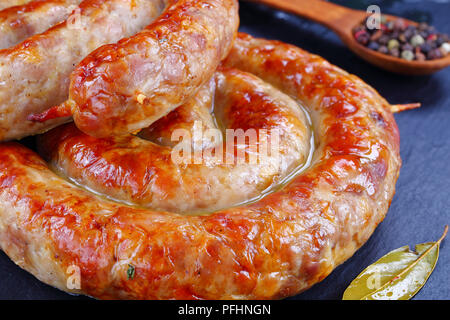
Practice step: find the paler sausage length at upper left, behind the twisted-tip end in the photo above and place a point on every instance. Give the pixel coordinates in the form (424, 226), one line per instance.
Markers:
(35, 74)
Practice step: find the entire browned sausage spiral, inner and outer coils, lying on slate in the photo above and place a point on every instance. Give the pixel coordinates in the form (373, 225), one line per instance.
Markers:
(271, 247)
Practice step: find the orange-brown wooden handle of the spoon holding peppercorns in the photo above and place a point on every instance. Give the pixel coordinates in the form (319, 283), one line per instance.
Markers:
(338, 18)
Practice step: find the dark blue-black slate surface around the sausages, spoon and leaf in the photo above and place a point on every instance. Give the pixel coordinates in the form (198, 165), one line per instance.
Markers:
(421, 206)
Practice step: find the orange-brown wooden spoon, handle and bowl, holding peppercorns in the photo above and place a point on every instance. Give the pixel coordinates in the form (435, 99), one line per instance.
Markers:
(342, 20)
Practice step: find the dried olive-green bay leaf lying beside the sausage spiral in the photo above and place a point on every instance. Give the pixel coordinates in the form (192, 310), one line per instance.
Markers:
(398, 275)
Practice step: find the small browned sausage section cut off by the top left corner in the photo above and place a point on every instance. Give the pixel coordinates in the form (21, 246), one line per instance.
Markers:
(20, 22)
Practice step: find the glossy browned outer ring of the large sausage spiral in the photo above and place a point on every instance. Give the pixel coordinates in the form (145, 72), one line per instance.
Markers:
(273, 248)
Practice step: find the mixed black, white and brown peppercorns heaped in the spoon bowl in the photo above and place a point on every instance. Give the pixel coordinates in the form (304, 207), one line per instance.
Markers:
(400, 39)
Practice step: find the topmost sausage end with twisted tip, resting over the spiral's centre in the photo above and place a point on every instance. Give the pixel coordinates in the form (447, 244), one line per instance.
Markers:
(174, 56)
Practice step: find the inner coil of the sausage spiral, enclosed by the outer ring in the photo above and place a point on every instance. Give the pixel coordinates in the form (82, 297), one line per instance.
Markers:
(150, 175)
